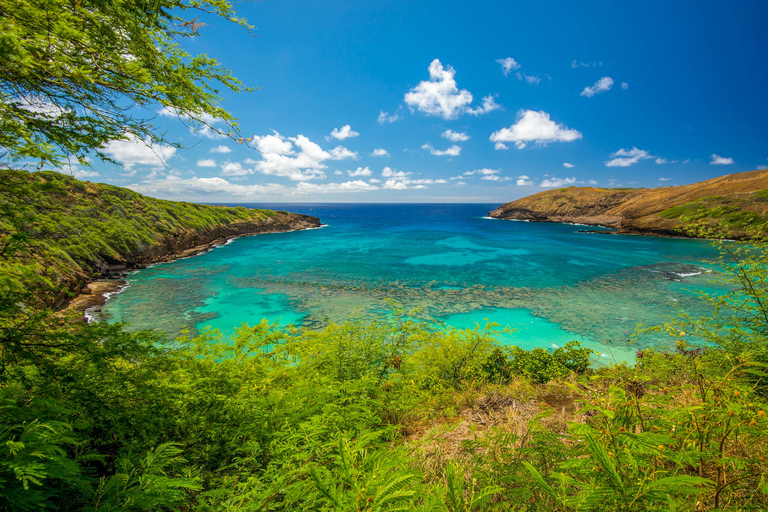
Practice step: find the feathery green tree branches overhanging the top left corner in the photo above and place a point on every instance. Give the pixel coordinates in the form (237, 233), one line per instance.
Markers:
(72, 73)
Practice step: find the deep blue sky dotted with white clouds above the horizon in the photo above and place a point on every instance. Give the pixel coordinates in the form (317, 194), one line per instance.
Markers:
(410, 101)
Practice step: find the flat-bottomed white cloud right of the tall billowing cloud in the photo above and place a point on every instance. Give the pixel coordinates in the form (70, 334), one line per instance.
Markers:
(535, 127)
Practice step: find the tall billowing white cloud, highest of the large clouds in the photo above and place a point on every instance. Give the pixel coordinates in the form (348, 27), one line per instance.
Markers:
(440, 96)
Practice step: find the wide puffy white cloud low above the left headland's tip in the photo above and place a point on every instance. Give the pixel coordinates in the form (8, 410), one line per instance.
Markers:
(296, 158)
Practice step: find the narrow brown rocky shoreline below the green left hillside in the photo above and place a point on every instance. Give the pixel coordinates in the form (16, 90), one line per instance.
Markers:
(96, 292)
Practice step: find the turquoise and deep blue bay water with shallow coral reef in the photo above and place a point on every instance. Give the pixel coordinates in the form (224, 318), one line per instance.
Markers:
(550, 282)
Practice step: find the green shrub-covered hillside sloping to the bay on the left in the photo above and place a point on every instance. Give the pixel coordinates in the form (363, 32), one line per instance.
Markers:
(76, 230)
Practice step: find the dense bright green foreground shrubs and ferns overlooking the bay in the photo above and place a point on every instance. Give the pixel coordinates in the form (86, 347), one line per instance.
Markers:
(389, 414)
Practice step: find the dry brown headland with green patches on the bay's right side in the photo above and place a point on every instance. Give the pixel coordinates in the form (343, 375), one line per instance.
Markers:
(736, 203)
